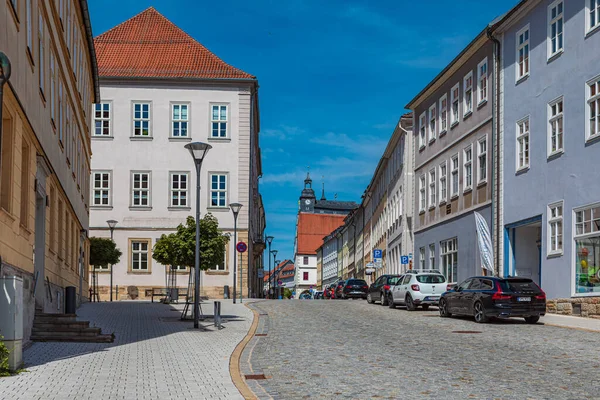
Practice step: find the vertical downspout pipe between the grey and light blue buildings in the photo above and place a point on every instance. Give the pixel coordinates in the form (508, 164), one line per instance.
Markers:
(496, 150)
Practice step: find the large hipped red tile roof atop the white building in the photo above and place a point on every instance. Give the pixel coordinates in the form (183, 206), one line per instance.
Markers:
(149, 45)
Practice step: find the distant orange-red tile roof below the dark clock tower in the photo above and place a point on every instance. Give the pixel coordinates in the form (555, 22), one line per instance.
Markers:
(312, 228)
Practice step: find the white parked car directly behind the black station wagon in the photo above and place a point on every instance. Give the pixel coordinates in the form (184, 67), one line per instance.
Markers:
(418, 288)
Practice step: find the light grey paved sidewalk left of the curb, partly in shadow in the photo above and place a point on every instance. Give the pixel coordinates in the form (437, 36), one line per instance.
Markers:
(154, 356)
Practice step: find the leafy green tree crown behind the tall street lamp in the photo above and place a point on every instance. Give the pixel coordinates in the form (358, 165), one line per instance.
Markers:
(179, 248)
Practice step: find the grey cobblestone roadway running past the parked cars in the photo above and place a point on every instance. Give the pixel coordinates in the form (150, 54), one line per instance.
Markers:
(350, 349)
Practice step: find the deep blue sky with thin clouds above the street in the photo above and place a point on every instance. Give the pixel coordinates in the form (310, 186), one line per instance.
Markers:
(334, 78)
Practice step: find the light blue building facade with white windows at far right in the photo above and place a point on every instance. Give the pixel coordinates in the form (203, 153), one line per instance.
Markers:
(550, 79)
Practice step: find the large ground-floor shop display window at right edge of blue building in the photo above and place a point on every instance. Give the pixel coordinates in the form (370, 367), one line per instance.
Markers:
(587, 249)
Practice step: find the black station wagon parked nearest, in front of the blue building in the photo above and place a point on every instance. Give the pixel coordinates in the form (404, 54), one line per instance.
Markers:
(486, 297)
